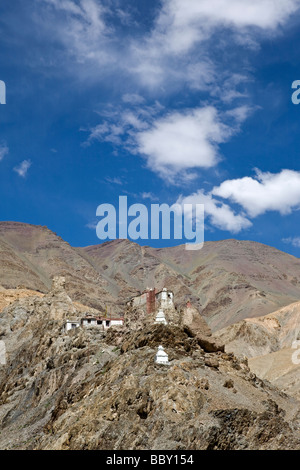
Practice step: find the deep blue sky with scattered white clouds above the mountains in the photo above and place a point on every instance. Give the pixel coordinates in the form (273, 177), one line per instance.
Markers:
(164, 102)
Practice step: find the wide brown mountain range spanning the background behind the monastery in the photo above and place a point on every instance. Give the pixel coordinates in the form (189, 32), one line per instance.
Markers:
(227, 280)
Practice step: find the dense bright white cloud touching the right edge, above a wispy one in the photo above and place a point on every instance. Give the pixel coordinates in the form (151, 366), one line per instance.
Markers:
(265, 192)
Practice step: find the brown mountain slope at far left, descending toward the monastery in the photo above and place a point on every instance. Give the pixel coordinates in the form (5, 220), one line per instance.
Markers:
(36, 254)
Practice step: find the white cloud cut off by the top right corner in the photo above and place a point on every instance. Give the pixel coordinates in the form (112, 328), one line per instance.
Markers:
(181, 25)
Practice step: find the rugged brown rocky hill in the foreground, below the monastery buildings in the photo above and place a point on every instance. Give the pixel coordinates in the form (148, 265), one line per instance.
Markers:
(89, 389)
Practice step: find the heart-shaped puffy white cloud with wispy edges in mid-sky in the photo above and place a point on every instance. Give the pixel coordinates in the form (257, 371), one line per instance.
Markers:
(175, 142)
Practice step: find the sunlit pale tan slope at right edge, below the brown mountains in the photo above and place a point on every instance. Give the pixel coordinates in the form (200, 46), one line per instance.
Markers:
(269, 342)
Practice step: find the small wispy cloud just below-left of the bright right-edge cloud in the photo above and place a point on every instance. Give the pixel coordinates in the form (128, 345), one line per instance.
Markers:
(220, 215)
